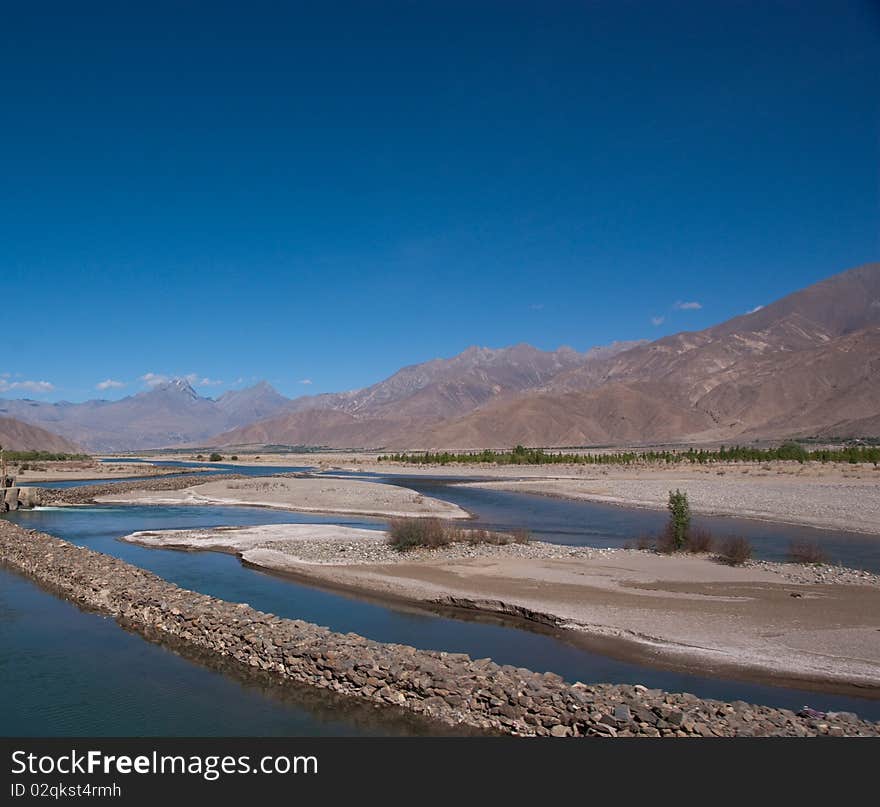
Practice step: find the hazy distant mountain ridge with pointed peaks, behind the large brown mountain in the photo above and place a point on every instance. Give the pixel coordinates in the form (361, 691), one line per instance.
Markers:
(173, 413)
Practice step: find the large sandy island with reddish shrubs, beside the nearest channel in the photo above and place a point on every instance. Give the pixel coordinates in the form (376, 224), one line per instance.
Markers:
(777, 622)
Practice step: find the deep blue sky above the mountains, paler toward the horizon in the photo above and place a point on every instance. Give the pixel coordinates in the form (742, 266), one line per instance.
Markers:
(327, 192)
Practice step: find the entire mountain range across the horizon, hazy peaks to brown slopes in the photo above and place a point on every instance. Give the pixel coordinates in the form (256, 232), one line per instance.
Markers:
(808, 364)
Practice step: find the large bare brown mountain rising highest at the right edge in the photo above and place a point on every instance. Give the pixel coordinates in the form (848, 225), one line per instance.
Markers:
(807, 364)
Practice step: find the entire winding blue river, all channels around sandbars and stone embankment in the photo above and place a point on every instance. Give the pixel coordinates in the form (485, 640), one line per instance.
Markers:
(70, 672)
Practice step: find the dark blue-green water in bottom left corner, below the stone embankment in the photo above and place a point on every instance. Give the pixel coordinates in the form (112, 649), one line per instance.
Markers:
(66, 672)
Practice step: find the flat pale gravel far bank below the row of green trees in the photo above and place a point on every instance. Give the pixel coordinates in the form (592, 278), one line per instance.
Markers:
(833, 495)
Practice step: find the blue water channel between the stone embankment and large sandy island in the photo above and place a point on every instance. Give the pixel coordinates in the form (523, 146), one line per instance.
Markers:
(223, 576)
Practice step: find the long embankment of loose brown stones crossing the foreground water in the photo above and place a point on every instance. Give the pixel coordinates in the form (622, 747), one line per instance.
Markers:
(447, 687)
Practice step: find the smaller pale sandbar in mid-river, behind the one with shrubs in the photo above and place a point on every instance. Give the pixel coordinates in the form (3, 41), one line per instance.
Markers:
(311, 495)
